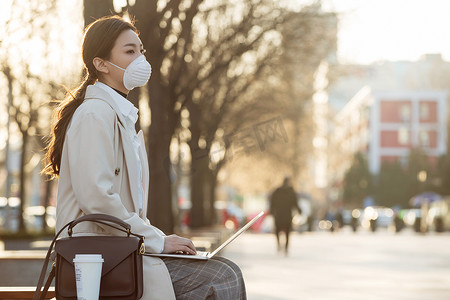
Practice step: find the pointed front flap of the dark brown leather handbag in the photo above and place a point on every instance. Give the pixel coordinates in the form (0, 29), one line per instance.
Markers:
(114, 249)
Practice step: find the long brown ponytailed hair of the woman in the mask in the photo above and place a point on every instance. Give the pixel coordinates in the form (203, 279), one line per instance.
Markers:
(98, 40)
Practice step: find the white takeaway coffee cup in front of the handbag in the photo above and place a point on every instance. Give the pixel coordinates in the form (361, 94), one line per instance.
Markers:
(88, 272)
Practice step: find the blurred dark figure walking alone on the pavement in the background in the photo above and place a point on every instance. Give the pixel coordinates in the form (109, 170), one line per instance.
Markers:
(282, 201)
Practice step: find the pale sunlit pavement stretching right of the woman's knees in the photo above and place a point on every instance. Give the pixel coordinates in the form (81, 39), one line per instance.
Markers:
(345, 266)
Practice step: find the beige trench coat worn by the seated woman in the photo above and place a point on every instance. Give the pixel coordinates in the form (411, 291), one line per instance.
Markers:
(97, 160)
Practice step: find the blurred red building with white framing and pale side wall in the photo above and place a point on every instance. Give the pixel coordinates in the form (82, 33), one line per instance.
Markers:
(387, 125)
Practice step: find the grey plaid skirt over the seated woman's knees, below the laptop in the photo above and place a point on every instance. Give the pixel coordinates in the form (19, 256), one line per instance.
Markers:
(216, 278)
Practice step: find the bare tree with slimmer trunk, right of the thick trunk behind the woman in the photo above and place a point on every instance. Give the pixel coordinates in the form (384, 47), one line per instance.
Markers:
(235, 33)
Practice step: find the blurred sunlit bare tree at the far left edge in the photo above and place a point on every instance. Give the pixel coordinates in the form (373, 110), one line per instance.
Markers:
(27, 89)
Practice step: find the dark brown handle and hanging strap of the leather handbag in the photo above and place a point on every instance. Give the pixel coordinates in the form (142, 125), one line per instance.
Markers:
(98, 218)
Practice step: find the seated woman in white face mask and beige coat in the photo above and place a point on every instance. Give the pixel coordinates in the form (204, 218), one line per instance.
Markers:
(102, 165)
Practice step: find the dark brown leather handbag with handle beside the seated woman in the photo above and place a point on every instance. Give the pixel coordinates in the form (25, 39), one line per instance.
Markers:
(122, 268)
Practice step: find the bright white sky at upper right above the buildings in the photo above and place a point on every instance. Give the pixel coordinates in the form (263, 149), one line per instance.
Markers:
(372, 31)
